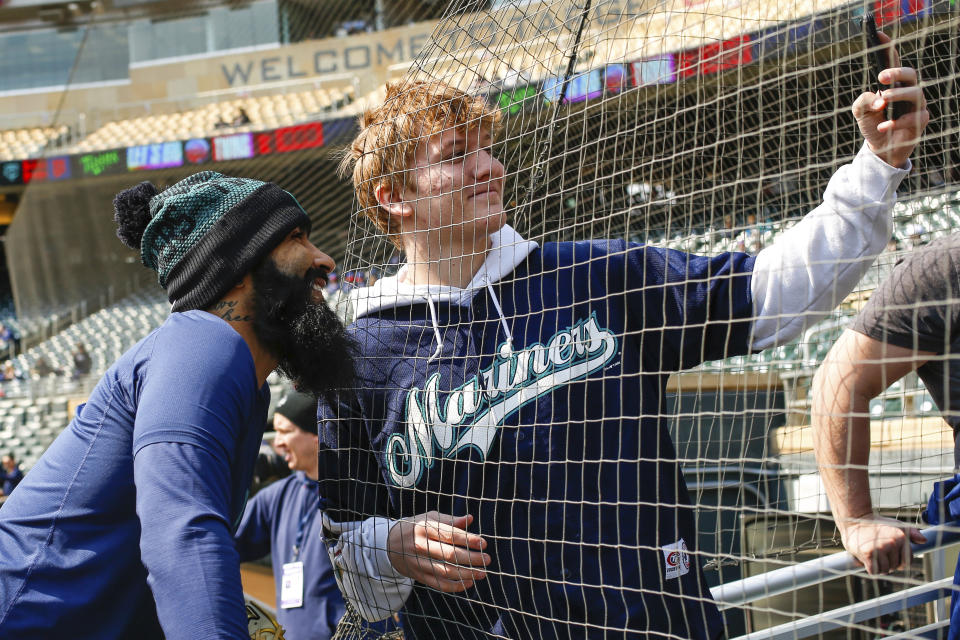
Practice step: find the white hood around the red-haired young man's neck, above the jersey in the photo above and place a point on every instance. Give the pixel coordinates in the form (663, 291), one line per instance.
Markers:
(508, 249)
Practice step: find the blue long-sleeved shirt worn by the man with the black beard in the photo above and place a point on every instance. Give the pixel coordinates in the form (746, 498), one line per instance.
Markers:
(125, 525)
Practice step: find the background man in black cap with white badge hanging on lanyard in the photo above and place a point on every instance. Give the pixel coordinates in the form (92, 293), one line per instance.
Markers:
(283, 520)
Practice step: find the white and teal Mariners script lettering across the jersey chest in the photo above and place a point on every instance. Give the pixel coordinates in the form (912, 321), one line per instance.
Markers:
(436, 428)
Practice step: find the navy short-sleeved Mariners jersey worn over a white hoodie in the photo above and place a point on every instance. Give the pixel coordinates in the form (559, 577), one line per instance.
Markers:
(556, 443)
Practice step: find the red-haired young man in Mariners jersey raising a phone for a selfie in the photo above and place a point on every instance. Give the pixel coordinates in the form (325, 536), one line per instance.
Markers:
(490, 499)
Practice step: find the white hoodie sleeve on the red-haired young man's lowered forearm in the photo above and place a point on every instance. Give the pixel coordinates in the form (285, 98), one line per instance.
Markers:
(364, 573)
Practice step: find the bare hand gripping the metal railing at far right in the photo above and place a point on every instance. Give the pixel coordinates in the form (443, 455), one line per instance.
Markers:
(880, 544)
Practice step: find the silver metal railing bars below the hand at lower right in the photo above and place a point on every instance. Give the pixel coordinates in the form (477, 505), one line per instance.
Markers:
(837, 565)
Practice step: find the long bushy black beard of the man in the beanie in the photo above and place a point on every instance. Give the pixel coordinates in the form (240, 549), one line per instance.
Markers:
(309, 342)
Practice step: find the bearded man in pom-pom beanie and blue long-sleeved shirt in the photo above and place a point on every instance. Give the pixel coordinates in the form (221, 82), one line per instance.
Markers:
(124, 527)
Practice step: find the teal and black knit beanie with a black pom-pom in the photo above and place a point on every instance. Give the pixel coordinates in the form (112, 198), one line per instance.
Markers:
(206, 232)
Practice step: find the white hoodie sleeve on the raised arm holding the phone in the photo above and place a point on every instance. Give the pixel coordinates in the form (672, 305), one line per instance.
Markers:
(812, 267)
